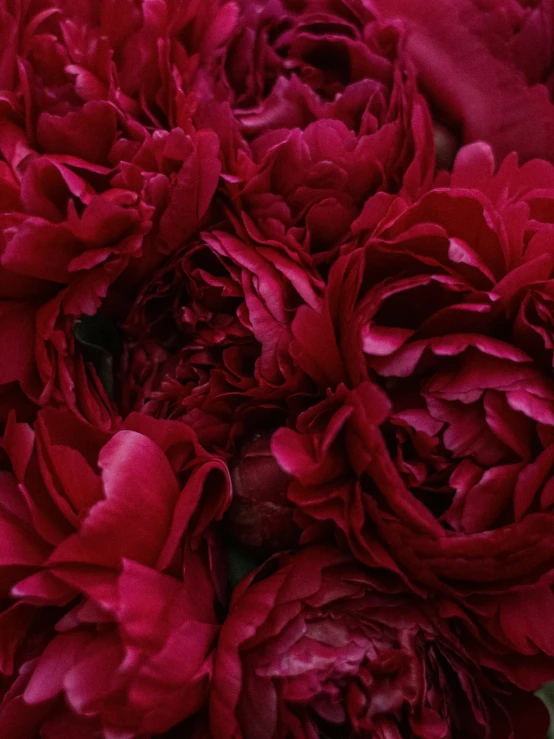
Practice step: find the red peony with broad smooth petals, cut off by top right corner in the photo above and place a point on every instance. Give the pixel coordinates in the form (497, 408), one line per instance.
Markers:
(483, 67)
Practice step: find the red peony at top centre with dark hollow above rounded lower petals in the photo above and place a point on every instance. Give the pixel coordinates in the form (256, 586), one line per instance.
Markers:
(323, 93)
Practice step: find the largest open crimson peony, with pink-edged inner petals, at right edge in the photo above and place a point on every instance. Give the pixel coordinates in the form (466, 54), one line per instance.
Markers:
(431, 450)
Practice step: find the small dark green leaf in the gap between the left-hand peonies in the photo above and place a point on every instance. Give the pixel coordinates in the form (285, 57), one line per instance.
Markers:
(100, 344)
